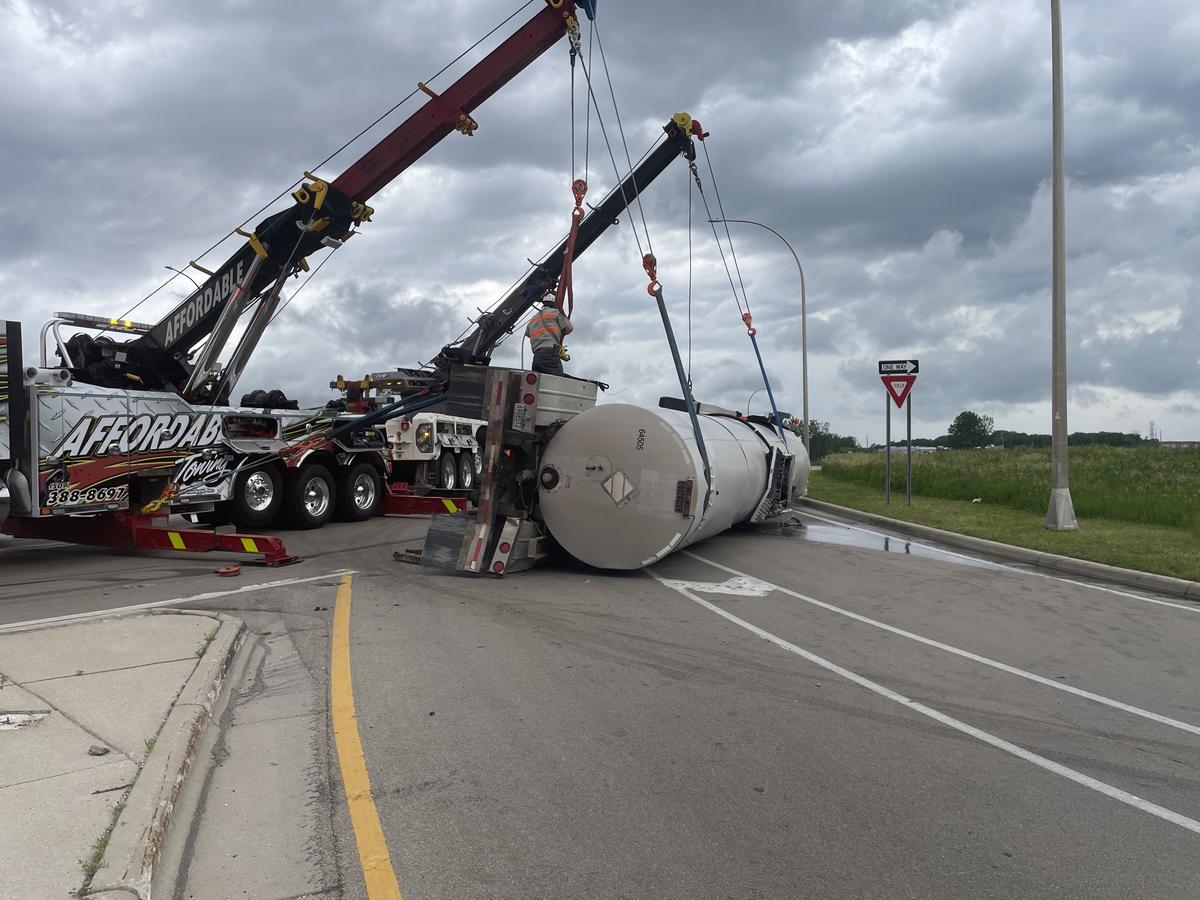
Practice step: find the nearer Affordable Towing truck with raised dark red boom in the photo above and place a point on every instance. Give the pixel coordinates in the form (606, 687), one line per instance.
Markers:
(122, 434)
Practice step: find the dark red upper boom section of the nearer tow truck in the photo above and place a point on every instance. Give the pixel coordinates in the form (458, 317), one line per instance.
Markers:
(418, 134)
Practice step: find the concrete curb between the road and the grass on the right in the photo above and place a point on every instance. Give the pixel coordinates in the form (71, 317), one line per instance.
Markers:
(1129, 578)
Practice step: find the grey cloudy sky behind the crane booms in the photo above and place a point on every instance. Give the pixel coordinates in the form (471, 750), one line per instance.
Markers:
(902, 146)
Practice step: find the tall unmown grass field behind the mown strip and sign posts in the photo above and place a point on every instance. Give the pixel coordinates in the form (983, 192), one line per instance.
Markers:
(1147, 485)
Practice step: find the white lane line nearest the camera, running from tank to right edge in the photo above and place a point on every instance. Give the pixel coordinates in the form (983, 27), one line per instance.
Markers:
(1079, 778)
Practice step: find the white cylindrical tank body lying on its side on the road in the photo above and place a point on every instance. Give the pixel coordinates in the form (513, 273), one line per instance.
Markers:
(623, 487)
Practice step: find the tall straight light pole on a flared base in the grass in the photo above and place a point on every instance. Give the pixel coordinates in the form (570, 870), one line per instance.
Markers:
(1061, 514)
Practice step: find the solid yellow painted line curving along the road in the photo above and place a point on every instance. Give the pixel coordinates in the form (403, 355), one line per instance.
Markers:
(377, 872)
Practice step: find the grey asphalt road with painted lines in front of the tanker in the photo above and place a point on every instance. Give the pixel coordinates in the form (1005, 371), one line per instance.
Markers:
(771, 717)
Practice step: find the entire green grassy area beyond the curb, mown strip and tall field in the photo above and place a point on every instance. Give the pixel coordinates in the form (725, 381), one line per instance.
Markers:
(1150, 497)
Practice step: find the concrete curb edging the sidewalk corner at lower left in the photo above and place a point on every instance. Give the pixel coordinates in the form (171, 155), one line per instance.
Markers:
(139, 836)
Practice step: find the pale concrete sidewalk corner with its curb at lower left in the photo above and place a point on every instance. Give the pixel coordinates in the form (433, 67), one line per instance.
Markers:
(99, 723)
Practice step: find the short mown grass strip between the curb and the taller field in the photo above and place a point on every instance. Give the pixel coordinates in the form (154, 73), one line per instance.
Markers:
(1147, 548)
